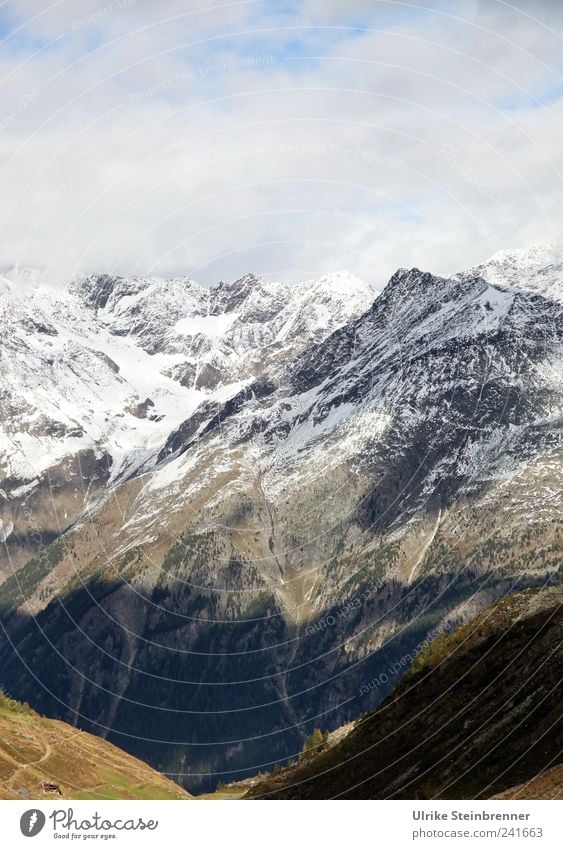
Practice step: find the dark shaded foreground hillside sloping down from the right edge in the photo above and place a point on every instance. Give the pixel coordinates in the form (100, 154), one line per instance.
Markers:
(477, 716)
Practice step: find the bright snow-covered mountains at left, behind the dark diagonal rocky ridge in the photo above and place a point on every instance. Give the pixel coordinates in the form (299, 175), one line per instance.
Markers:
(97, 374)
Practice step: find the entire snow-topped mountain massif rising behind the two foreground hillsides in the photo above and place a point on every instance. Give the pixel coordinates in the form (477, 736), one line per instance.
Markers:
(291, 491)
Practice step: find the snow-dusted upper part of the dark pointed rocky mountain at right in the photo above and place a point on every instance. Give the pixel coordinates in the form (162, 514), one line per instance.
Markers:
(443, 388)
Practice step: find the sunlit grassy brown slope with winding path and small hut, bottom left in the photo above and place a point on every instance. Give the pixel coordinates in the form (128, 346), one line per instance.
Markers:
(34, 750)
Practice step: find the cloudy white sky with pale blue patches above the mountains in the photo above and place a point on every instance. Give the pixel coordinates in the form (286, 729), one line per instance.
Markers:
(290, 139)
